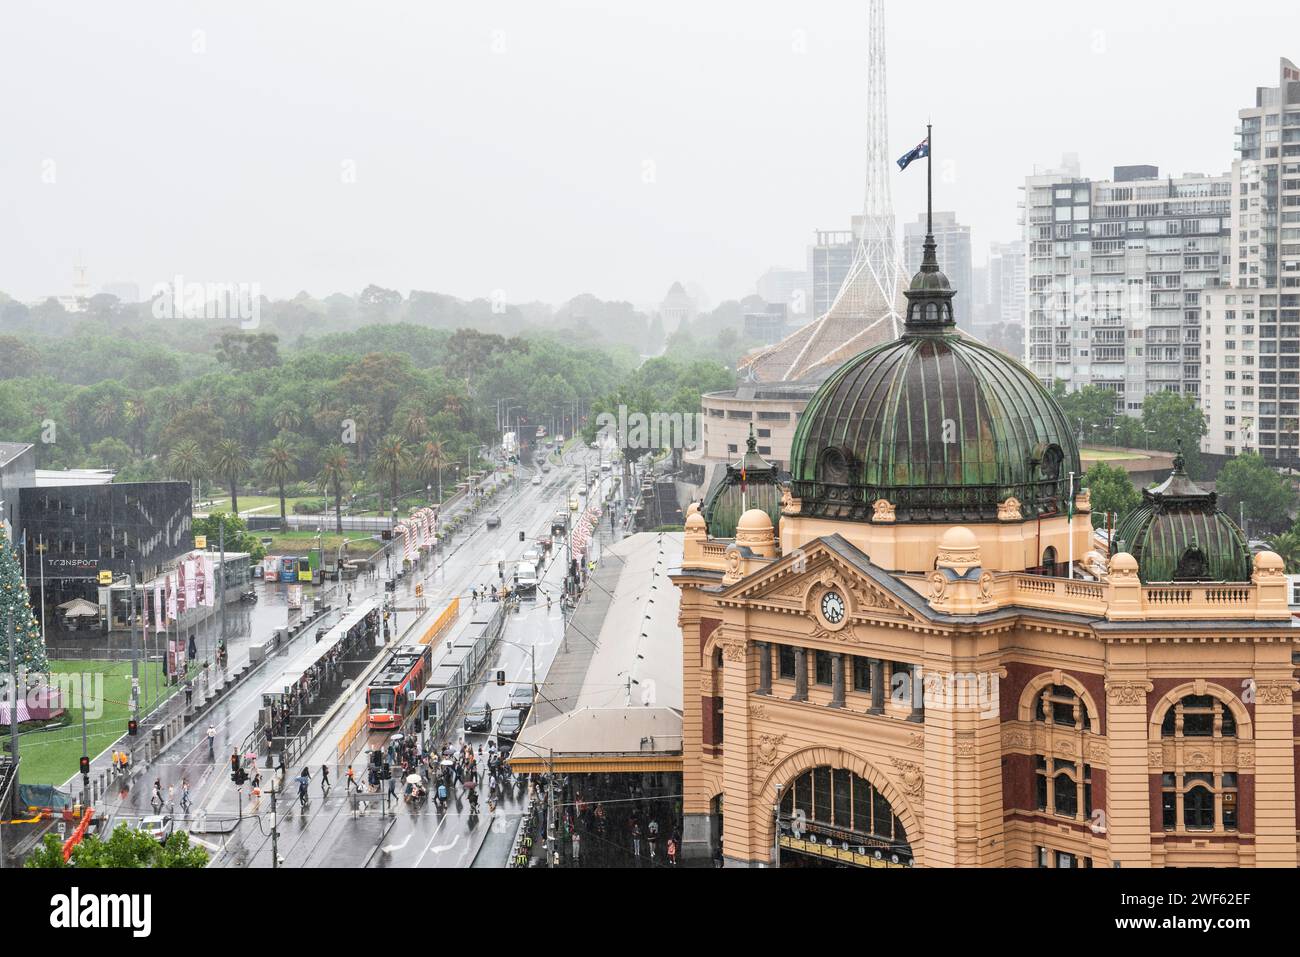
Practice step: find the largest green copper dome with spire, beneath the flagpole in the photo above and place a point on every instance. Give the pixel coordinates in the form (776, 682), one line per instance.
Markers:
(941, 426)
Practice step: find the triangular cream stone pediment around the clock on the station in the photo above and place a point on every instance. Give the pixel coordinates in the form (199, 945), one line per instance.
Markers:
(796, 583)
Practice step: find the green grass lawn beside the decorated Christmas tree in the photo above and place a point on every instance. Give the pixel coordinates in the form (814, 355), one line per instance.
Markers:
(50, 756)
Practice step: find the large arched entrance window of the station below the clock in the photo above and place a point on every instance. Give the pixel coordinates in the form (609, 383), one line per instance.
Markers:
(831, 817)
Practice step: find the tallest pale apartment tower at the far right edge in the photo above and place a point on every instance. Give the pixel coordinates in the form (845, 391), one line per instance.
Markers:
(1251, 334)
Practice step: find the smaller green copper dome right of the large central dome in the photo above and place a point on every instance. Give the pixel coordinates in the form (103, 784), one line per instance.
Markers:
(1180, 535)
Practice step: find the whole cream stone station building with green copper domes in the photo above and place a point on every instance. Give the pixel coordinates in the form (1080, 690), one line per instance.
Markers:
(924, 660)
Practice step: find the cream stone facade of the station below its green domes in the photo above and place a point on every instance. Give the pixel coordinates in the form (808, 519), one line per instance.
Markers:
(982, 652)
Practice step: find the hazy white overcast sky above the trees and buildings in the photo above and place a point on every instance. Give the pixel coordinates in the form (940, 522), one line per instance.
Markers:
(508, 146)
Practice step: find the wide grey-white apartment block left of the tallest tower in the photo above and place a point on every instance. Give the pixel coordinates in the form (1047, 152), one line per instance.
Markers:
(1116, 272)
